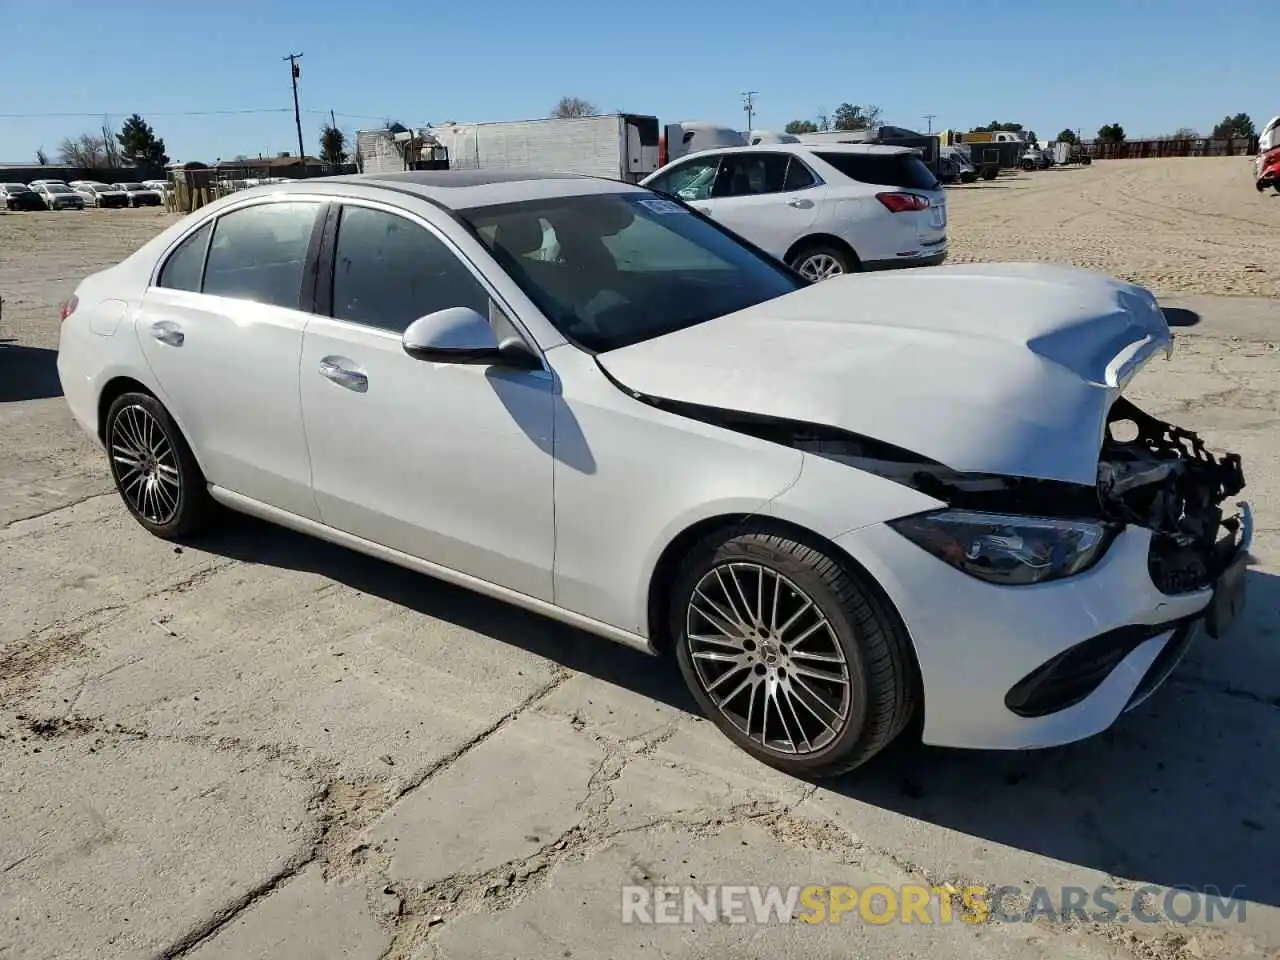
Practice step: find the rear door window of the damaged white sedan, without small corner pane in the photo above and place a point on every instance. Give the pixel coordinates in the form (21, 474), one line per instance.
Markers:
(260, 253)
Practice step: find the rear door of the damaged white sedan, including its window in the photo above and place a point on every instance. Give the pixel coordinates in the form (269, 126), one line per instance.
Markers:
(222, 332)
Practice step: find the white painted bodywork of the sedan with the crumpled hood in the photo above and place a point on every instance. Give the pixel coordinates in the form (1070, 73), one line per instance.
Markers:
(560, 488)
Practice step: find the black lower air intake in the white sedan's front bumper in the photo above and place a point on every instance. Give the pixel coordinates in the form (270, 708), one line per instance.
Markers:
(1077, 673)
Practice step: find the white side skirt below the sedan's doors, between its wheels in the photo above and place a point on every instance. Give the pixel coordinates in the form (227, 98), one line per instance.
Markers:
(273, 515)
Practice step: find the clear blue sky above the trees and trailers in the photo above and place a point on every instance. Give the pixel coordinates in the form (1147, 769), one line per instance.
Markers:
(1153, 66)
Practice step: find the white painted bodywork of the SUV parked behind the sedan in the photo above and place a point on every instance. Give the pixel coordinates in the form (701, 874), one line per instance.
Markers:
(833, 205)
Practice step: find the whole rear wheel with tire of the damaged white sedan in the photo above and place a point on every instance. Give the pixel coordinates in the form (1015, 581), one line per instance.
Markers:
(136, 422)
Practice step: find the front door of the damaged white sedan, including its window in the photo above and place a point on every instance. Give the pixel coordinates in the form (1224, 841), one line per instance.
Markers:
(449, 463)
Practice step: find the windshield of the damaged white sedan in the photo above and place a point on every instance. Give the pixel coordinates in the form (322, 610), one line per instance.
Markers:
(615, 269)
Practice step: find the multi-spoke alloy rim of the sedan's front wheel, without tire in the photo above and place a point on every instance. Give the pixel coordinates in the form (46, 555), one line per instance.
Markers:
(769, 659)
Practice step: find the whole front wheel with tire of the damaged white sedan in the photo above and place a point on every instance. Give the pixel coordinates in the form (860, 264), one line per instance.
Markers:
(796, 660)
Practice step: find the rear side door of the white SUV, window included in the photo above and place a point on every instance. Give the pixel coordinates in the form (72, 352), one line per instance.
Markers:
(771, 199)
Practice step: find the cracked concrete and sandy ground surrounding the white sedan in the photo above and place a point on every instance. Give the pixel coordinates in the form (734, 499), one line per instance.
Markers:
(258, 746)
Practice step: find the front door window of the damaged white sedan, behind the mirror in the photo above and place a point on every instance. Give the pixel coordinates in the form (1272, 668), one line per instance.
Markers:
(388, 272)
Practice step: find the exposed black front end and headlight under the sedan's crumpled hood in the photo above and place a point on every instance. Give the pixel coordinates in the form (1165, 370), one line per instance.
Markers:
(1016, 531)
